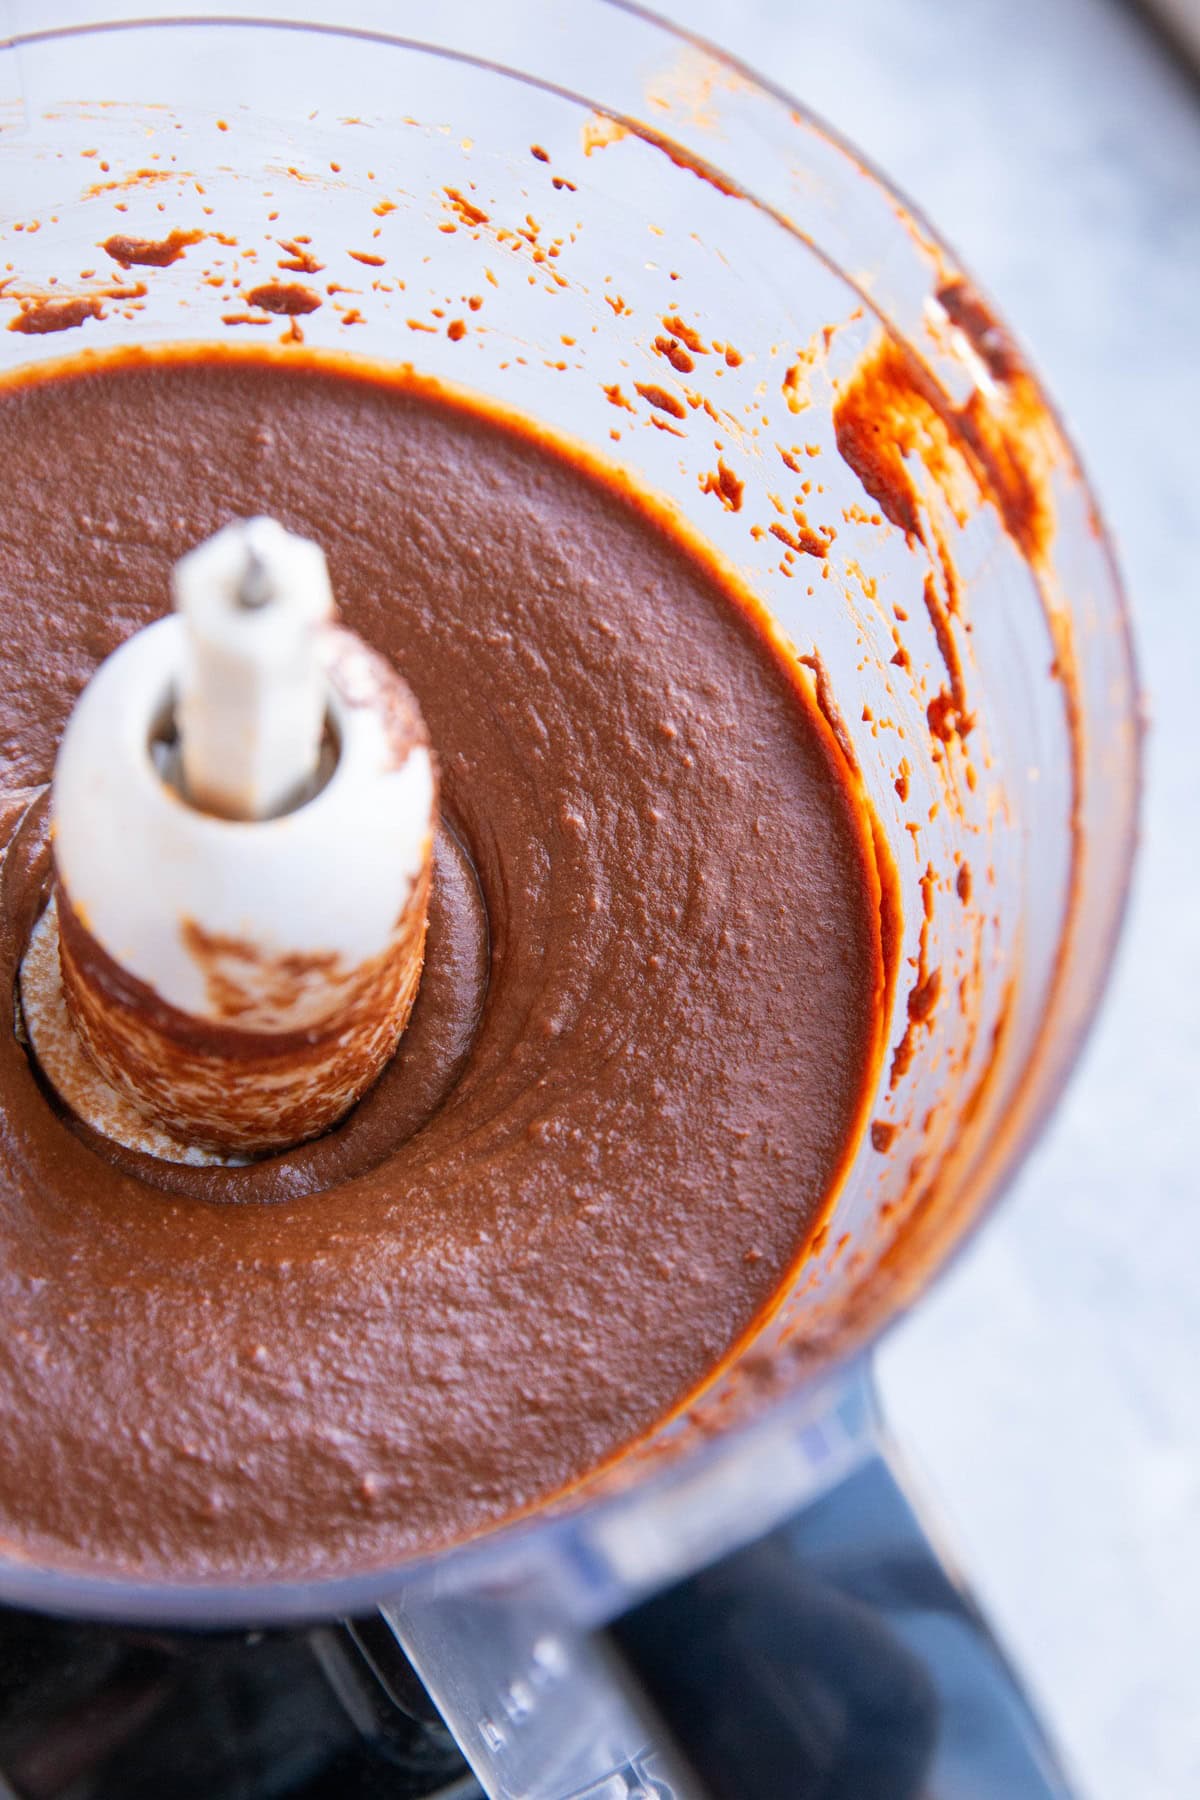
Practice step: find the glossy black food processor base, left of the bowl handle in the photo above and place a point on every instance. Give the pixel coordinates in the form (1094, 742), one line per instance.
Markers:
(112, 1714)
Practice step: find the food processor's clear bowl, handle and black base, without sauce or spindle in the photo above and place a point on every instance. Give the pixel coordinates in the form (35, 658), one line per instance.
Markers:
(614, 229)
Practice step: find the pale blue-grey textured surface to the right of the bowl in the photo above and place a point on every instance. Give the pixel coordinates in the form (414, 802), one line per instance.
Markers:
(1050, 1390)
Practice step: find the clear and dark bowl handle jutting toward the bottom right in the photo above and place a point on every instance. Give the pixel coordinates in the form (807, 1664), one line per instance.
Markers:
(832, 1655)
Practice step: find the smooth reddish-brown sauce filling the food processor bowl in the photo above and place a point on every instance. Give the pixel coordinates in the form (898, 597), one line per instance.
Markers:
(613, 1124)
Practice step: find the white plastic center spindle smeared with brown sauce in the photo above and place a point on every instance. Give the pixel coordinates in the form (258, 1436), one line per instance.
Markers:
(240, 901)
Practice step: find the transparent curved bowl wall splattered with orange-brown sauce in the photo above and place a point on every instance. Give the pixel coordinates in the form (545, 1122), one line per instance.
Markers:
(355, 134)
